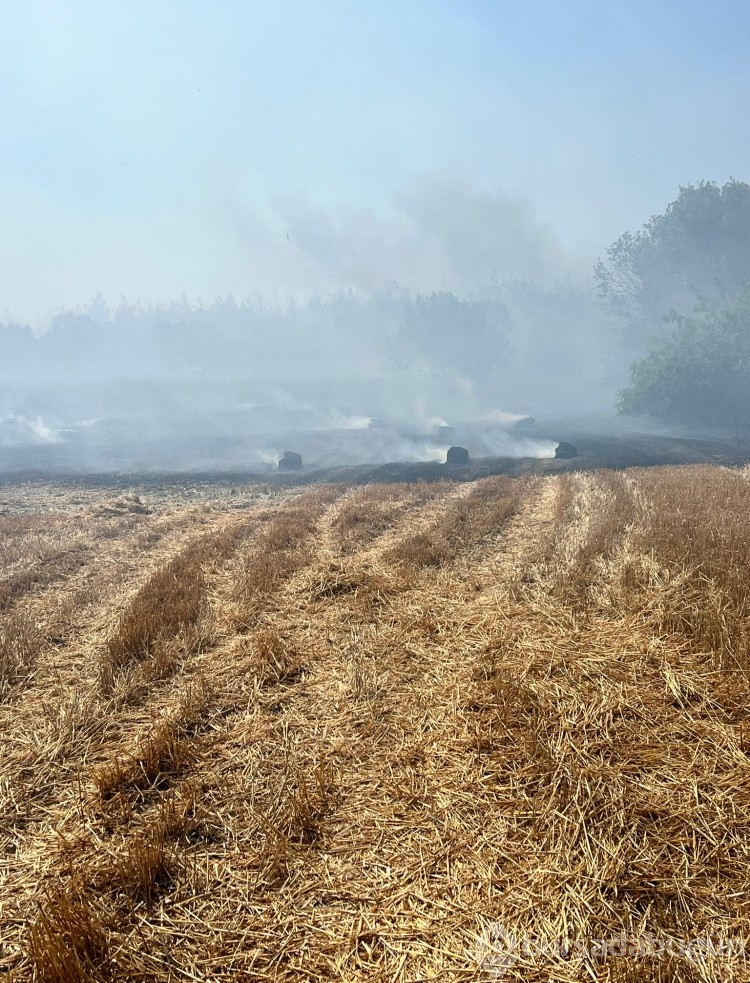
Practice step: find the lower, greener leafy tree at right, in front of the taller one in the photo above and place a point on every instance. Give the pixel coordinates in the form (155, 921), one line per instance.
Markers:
(701, 374)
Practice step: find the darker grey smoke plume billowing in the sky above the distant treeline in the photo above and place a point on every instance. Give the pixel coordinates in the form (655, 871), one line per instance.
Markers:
(441, 233)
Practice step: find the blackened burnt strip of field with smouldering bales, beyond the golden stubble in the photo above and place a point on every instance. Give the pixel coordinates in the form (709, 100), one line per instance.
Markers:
(209, 466)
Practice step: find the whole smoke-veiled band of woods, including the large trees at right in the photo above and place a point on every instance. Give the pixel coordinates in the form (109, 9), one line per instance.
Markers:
(666, 321)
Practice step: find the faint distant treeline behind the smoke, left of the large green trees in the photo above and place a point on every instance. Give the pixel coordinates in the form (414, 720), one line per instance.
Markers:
(523, 327)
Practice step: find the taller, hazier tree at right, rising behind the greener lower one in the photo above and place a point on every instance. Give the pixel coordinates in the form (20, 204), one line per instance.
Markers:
(698, 250)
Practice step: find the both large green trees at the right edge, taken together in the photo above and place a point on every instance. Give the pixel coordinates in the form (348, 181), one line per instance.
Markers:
(681, 288)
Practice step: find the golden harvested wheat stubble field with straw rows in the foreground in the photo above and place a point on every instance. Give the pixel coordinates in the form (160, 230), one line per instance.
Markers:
(396, 732)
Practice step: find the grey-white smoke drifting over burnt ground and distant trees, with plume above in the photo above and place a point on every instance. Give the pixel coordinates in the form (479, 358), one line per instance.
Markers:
(432, 313)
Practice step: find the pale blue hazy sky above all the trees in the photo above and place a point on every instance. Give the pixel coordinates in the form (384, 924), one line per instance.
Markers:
(160, 146)
